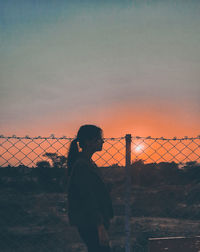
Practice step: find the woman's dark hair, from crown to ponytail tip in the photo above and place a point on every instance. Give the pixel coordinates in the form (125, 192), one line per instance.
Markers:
(85, 132)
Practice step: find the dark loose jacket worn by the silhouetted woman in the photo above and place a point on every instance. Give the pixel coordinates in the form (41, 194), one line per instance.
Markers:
(89, 200)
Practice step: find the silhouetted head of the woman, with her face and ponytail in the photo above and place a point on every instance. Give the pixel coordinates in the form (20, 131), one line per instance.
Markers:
(89, 138)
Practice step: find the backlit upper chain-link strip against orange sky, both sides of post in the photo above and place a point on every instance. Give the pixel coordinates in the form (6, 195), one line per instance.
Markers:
(29, 150)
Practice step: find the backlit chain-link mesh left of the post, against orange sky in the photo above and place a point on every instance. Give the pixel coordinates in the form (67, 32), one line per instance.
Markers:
(30, 150)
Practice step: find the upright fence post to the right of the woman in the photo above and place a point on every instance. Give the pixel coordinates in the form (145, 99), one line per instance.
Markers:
(127, 193)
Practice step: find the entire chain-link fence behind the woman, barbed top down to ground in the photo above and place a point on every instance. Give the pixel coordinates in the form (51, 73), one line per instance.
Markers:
(154, 185)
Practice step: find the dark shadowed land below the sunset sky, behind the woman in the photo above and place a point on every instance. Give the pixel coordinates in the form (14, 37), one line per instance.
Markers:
(33, 208)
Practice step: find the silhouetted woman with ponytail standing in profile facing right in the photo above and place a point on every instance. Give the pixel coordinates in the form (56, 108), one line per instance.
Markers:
(89, 203)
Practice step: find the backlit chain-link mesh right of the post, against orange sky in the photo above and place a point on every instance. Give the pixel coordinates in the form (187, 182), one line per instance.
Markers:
(179, 150)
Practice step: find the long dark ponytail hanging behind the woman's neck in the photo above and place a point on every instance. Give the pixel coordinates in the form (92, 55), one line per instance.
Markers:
(72, 155)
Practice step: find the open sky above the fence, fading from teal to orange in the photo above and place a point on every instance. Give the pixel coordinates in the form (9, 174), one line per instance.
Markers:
(127, 66)
